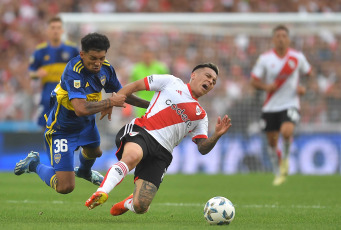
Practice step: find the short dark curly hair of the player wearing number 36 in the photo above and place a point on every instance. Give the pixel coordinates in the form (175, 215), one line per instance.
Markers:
(95, 41)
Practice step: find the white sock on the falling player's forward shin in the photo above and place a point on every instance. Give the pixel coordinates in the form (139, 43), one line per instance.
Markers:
(113, 177)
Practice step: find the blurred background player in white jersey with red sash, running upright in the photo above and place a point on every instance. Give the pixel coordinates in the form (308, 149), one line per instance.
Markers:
(277, 73)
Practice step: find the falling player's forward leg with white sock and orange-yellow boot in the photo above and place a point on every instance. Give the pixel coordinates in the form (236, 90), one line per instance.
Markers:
(131, 156)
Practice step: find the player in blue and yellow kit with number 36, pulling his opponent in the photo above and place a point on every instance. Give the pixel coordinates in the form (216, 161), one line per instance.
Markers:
(71, 122)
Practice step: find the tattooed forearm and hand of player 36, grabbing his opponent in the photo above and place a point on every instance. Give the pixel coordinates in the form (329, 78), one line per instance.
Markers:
(85, 108)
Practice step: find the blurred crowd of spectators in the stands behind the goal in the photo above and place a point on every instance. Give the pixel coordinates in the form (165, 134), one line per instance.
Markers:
(23, 24)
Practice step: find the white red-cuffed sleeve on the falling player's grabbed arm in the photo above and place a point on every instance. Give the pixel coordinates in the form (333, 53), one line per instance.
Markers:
(157, 82)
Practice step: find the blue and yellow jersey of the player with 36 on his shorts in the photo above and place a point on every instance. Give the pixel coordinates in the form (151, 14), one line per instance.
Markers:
(78, 82)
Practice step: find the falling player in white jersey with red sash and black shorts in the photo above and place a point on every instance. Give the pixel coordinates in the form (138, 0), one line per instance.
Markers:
(146, 144)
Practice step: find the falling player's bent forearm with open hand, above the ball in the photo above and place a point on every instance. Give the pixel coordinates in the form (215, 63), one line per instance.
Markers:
(221, 127)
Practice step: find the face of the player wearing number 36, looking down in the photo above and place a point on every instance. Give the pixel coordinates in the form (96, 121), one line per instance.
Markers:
(93, 60)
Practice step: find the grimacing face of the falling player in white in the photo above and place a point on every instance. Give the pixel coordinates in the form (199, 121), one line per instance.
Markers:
(202, 81)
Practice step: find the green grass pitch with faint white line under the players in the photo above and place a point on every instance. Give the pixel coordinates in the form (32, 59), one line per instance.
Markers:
(302, 202)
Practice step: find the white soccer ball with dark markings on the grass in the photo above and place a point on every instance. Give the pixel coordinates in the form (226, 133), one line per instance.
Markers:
(219, 210)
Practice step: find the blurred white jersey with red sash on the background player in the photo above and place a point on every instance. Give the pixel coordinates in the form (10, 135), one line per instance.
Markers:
(284, 71)
